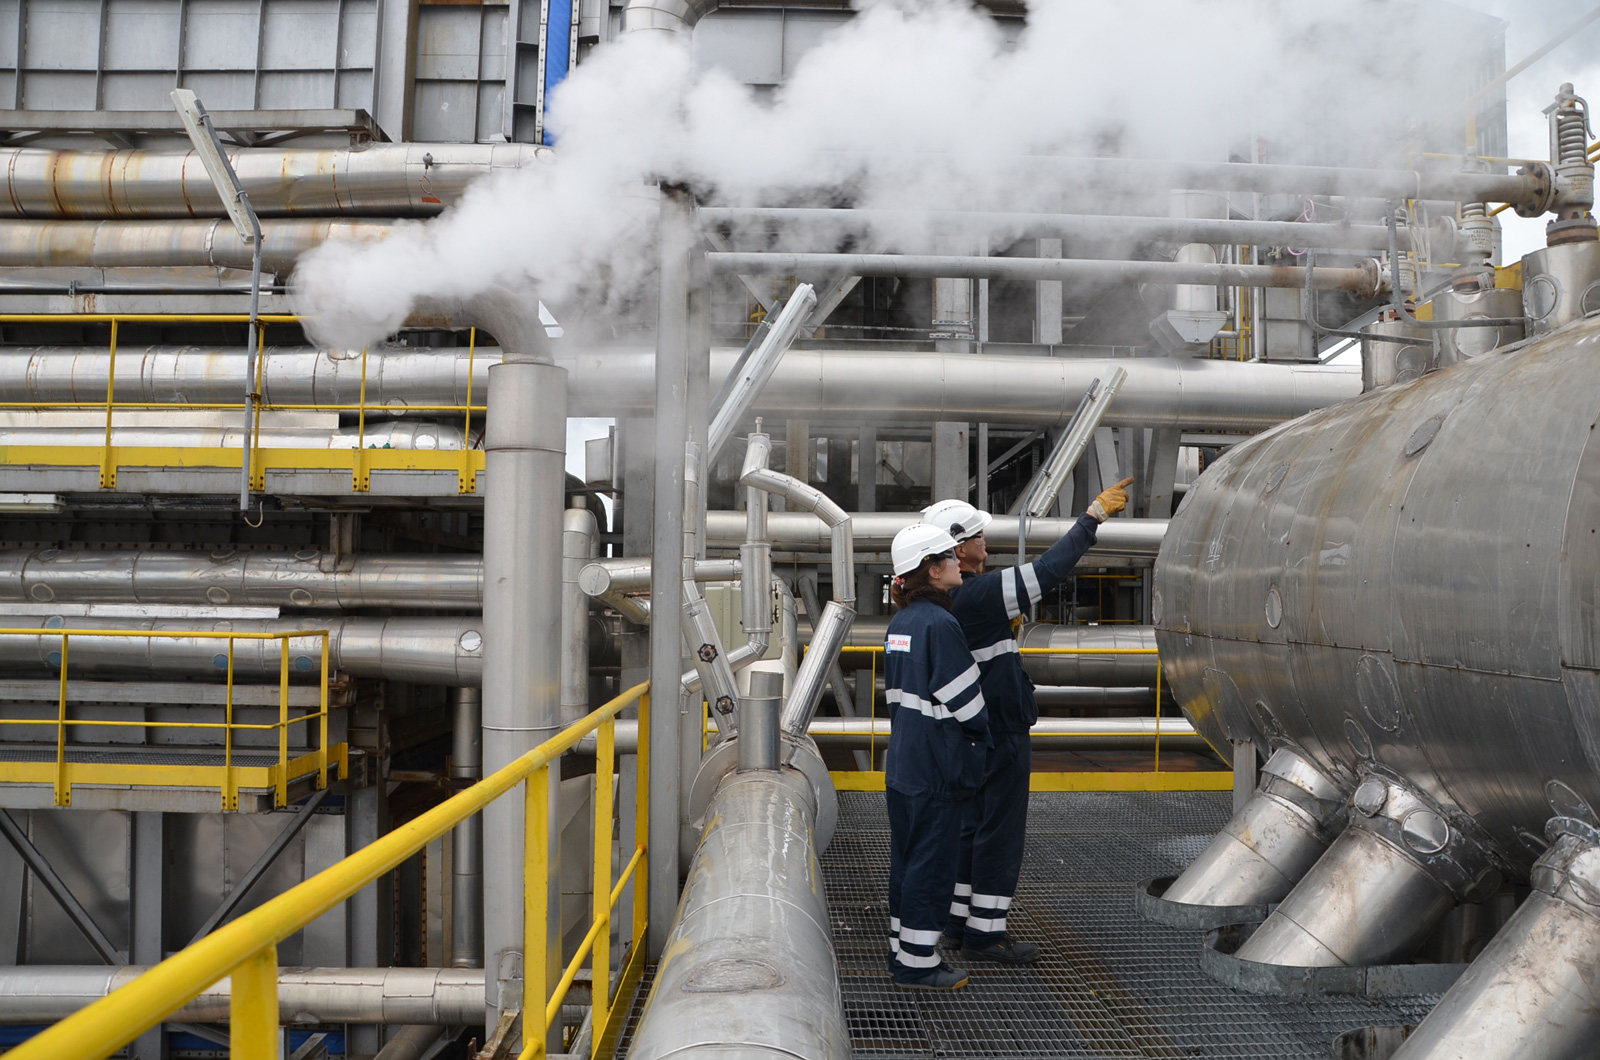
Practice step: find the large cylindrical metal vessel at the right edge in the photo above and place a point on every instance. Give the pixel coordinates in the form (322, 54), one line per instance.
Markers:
(1409, 584)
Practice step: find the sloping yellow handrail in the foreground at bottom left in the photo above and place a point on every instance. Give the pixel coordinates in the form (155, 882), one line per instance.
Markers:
(247, 947)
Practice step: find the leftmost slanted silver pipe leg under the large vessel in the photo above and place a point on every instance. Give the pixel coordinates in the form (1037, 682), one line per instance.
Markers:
(1271, 843)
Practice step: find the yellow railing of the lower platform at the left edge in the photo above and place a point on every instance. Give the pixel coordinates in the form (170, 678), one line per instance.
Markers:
(226, 781)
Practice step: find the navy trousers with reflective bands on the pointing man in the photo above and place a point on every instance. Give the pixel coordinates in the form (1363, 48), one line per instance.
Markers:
(999, 838)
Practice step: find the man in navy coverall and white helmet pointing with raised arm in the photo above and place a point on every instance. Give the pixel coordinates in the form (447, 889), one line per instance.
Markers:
(996, 827)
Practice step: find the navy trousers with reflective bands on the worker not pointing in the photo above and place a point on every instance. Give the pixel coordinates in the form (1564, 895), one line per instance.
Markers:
(924, 843)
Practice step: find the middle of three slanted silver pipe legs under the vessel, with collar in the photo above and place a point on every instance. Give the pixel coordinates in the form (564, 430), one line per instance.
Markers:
(1380, 889)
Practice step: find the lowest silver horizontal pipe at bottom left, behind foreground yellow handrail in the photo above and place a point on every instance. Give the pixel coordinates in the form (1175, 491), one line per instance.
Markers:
(436, 997)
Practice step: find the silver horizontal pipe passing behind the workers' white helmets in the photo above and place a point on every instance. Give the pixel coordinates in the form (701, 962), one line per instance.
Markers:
(874, 532)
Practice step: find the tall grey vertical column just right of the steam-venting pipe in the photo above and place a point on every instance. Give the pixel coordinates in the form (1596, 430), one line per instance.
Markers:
(666, 592)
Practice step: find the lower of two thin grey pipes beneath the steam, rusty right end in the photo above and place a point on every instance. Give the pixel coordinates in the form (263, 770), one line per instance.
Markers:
(1364, 283)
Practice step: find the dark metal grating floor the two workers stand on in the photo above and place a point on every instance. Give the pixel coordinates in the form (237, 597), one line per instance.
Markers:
(1110, 984)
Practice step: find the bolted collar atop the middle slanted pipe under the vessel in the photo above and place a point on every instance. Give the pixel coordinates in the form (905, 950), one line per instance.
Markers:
(1422, 830)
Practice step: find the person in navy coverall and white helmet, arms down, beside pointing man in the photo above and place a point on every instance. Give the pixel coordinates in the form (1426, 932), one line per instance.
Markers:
(935, 761)
